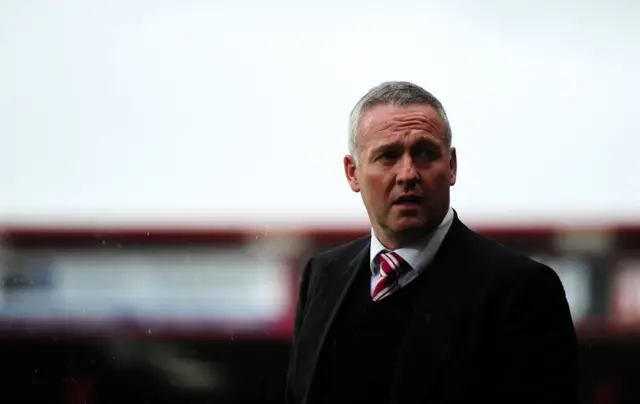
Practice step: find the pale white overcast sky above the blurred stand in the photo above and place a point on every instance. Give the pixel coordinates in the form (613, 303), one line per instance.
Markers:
(191, 112)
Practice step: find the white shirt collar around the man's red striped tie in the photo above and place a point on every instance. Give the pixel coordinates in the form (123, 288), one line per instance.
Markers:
(419, 256)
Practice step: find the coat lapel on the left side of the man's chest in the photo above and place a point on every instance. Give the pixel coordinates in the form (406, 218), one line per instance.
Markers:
(324, 308)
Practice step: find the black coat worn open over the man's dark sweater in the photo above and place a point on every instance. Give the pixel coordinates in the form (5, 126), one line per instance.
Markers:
(490, 326)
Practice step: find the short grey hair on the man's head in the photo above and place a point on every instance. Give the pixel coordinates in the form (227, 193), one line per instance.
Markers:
(397, 93)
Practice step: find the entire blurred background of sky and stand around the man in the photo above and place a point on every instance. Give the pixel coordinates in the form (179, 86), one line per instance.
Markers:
(166, 168)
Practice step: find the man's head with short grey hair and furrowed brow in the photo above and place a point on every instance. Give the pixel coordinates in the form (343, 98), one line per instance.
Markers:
(401, 161)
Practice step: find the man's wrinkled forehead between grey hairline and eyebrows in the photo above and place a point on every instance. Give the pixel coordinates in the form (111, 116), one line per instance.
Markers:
(386, 123)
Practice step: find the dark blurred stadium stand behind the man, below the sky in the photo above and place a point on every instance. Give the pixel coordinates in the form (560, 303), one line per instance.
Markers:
(194, 316)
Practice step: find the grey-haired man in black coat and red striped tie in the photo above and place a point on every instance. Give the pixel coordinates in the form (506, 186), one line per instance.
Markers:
(424, 310)
